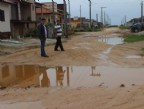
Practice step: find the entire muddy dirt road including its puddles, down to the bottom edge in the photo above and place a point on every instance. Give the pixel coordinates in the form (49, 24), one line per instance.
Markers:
(97, 70)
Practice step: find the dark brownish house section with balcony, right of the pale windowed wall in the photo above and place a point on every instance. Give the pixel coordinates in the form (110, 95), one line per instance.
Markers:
(23, 18)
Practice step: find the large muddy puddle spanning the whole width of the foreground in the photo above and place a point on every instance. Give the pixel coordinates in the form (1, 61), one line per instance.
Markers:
(72, 76)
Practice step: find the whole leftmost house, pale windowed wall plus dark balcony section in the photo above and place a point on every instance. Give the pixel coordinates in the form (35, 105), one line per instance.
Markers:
(17, 17)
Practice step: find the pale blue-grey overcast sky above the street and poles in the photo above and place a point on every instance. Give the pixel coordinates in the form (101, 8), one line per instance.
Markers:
(115, 9)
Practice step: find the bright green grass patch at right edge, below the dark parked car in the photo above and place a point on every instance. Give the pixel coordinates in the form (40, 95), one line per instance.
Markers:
(133, 38)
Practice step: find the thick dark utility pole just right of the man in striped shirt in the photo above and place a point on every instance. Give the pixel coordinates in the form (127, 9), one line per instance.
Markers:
(65, 19)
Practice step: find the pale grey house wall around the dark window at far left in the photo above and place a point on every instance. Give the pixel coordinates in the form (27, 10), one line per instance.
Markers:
(5, 25)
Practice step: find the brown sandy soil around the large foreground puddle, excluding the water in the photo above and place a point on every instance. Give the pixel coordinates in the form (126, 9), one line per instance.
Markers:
(80, 50)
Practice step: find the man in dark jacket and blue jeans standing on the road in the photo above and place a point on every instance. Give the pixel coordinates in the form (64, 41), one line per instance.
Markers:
(43, 34)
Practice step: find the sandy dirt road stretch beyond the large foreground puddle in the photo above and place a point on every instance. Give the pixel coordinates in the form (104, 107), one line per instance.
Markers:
(90, 49)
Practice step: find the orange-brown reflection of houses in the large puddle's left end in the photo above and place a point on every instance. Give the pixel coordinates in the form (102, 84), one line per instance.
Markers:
(23, 75)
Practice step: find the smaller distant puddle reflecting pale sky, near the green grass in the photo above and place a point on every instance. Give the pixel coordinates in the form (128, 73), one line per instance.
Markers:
(111, 40)
